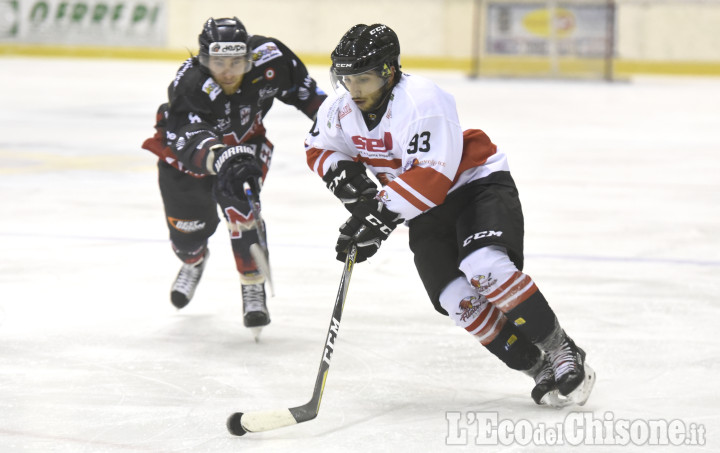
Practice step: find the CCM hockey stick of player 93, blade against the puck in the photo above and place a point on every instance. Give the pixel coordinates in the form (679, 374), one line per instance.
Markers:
(240, 423)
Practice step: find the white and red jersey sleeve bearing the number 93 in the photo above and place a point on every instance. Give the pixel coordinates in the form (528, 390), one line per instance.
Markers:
(431, 158)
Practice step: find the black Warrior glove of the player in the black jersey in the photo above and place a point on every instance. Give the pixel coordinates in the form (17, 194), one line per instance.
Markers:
(235, 166)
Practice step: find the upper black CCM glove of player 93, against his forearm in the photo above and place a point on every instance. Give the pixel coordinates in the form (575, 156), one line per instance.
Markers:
(349, 182)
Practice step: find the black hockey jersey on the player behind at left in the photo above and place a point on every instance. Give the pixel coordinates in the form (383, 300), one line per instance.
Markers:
(200, 115)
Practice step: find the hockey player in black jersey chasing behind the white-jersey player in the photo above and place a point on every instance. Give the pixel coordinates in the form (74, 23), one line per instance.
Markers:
(211, 145)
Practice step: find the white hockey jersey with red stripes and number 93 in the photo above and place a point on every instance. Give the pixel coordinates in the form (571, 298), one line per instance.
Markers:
(418, 151)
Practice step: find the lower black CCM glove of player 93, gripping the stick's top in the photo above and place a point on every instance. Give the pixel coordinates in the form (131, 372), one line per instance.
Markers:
(371, 223)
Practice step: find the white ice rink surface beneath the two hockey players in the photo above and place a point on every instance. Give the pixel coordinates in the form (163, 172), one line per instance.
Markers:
(619, 184)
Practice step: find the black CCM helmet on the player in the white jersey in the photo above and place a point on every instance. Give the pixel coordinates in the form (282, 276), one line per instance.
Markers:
(364, 48)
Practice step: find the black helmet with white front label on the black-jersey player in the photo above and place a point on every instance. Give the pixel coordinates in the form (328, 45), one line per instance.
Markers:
(223, 37)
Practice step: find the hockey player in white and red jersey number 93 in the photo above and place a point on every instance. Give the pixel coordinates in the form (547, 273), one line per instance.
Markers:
(454, 190)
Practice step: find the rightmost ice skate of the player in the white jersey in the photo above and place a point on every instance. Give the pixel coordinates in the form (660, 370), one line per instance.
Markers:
(575, 379)
